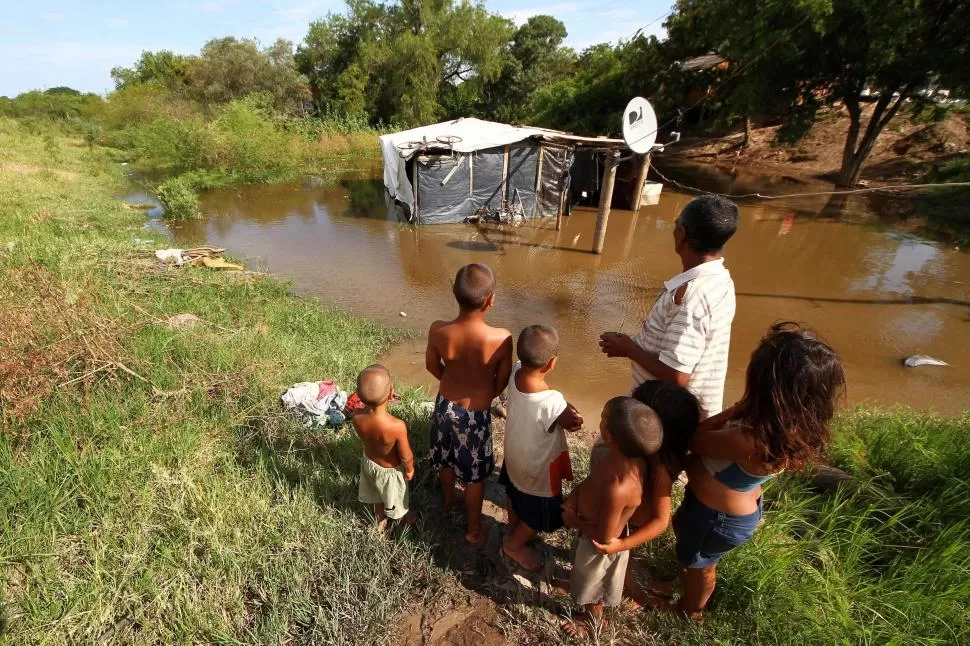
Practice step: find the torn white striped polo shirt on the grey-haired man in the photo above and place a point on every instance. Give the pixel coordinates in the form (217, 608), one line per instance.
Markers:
(693, 337)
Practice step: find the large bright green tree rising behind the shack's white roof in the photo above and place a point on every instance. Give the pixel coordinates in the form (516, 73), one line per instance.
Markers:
(400, 62)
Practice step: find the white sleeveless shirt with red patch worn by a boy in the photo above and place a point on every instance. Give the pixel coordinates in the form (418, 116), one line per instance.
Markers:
(534, 457)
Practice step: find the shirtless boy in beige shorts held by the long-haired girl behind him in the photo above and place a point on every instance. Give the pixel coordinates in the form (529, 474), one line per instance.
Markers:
(605, 501)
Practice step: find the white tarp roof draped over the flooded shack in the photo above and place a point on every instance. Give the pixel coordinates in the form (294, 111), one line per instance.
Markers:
(474, 134)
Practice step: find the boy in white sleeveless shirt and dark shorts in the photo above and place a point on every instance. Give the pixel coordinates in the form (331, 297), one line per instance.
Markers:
(536, 454)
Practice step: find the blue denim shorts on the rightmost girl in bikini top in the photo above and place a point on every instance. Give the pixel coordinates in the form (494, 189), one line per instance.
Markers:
(704, 535)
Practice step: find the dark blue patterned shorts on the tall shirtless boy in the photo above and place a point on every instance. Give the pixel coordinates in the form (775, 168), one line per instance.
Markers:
(462, 440)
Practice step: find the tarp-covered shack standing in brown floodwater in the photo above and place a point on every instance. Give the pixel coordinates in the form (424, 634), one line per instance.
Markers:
(470, 169)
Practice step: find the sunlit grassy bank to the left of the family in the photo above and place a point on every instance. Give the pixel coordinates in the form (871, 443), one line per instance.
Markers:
(141, 494)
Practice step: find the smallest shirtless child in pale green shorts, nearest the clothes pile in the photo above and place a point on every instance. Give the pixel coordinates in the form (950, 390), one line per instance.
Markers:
(387, 461)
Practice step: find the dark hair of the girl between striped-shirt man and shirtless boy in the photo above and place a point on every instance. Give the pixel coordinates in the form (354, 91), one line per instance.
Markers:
(679, 412)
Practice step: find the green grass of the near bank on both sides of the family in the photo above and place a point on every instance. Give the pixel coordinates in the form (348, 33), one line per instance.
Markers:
(151, 492)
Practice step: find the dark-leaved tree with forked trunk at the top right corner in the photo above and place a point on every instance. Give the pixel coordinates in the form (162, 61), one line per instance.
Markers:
(810, 52)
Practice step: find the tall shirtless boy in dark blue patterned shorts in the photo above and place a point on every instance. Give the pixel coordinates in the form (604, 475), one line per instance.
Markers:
(473, 361)
